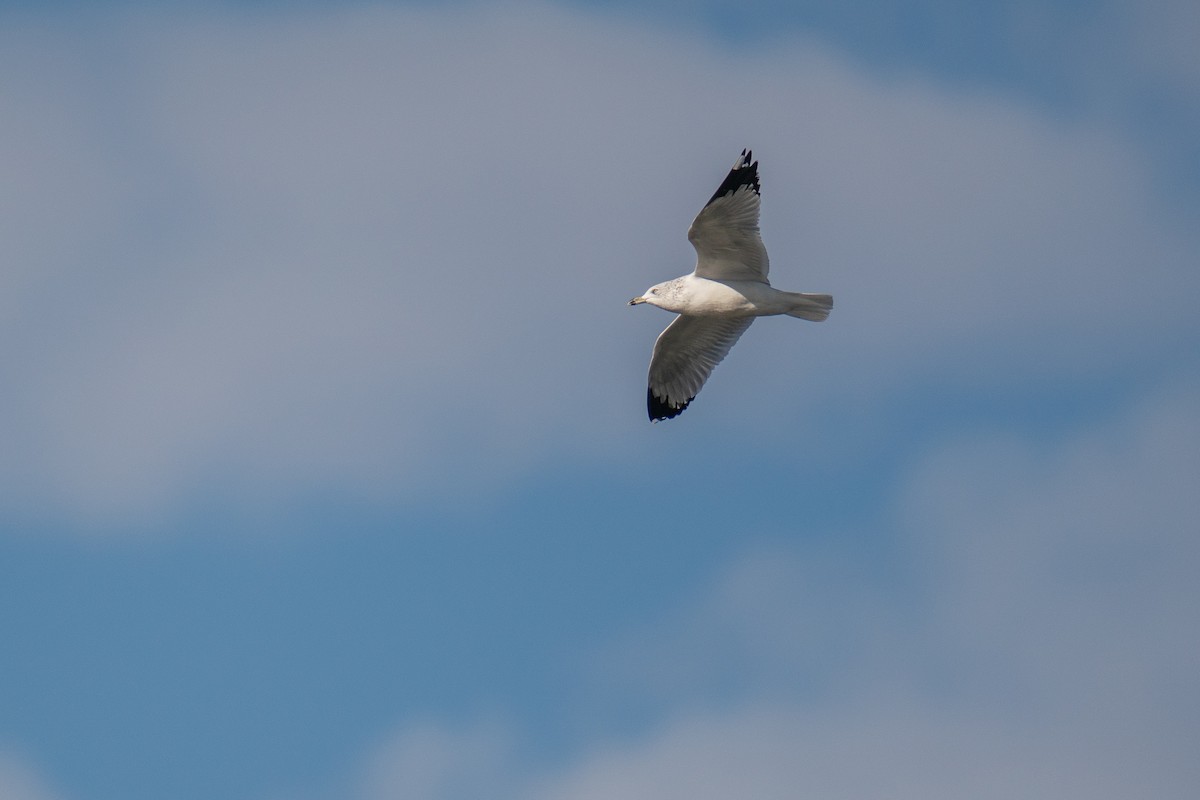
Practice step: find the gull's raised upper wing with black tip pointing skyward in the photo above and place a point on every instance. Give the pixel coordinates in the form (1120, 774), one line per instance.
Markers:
(725, 233)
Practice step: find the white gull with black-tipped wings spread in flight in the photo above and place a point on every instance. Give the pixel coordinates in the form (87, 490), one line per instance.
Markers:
(721, 298)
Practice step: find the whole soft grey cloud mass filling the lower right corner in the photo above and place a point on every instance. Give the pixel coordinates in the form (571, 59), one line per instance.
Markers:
(1051, 652)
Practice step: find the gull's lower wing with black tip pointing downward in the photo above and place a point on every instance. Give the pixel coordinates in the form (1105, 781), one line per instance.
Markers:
(685, 357)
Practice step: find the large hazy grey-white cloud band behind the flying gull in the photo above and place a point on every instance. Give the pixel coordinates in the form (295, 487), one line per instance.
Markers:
(295, 251)
